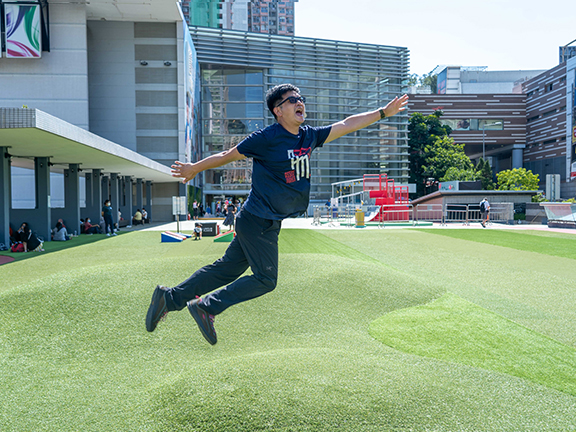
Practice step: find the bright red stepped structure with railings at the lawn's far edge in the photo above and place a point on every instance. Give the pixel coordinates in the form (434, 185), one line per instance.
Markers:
(393, 200)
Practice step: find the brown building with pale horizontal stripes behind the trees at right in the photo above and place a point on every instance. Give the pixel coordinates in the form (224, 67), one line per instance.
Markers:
(534, 130)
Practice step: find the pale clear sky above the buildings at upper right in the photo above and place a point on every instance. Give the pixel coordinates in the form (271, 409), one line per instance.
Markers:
(503, 35)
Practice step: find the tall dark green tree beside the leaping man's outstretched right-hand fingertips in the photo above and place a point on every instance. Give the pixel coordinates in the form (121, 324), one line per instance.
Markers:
(423, 131)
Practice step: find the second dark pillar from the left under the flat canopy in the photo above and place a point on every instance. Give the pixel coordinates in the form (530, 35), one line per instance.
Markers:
(41, 221)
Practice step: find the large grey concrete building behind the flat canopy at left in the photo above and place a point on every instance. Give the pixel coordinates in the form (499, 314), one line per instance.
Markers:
(115, 76)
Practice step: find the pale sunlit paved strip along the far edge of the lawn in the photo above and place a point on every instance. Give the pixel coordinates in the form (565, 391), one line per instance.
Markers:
(306, 223)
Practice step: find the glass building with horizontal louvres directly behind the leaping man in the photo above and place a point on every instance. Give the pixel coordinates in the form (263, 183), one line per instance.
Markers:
(337, 78)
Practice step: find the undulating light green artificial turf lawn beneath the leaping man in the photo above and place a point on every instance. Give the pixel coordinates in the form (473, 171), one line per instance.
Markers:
(74, 353)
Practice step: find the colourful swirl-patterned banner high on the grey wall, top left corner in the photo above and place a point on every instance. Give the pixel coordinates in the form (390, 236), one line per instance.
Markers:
(23, 31)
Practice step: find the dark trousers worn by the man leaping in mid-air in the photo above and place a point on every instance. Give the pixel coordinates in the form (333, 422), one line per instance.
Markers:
(255, 246)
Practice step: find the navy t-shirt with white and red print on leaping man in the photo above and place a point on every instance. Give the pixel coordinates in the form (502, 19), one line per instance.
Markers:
(281, 169)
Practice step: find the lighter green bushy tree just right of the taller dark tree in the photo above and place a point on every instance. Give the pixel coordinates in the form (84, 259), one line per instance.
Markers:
(444, 154)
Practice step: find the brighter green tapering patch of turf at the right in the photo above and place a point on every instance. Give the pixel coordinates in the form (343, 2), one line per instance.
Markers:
(456, 330)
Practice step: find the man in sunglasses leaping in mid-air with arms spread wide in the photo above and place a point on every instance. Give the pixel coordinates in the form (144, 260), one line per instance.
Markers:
(280, 189)
